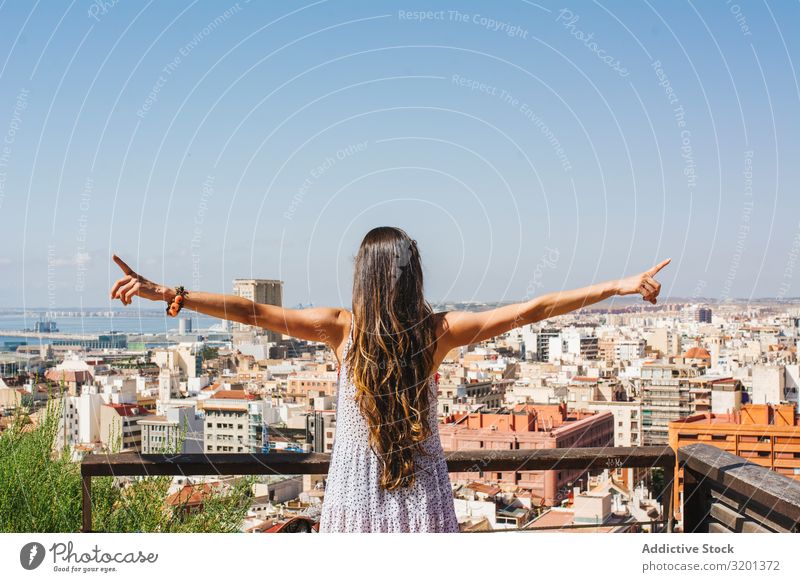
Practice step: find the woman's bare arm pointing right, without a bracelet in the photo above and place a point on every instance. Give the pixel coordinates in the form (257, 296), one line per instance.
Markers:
(461, 328)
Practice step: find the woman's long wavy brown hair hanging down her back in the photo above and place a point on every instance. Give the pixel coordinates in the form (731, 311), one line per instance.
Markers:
(390, 360)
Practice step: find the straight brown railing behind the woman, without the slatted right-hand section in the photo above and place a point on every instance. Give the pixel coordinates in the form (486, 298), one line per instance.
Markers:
(580, 459)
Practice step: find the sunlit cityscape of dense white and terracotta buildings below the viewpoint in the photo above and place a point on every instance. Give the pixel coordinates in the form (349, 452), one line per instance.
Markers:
(615, 375)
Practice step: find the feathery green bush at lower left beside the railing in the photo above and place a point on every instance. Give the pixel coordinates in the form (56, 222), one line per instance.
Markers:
(40, 489)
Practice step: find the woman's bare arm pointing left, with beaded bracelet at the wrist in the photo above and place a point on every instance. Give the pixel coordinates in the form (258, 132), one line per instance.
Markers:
(321, 324)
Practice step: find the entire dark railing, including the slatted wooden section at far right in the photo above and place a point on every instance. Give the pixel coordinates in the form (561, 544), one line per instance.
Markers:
(722, 491)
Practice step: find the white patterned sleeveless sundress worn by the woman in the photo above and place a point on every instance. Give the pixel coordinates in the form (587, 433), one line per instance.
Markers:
(354, 500)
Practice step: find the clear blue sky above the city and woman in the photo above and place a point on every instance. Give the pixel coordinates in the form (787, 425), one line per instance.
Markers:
(528, 147)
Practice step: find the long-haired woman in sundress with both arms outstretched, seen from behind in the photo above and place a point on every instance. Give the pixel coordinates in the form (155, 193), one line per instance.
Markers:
(388, 472)
